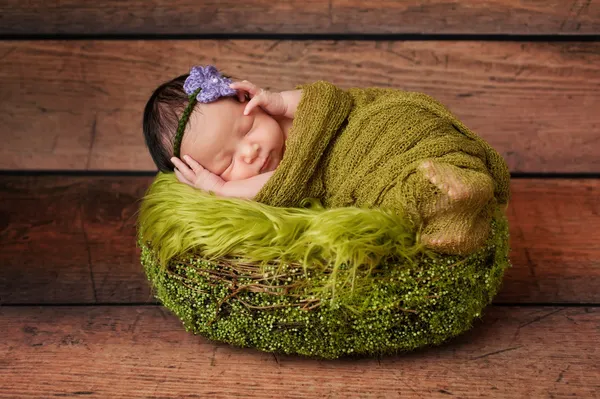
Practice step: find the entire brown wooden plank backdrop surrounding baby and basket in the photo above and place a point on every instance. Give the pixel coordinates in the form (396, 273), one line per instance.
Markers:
(76, 312)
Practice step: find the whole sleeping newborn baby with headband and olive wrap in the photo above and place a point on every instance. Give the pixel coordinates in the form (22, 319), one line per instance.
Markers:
(359, 147)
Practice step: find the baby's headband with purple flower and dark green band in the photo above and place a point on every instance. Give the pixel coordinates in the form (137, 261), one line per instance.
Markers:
(205, 85)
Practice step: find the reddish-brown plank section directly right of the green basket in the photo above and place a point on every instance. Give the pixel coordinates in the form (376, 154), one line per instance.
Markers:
(555, 231)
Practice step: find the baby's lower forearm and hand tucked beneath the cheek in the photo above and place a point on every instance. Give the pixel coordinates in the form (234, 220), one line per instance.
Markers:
(196, 176)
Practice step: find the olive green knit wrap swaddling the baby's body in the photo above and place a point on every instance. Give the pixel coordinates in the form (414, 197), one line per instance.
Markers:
(368, 148)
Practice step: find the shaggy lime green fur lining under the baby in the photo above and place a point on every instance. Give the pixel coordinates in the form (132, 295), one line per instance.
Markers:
(175, 218)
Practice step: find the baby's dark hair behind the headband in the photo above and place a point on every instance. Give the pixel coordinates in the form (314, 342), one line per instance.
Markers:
(161, 116)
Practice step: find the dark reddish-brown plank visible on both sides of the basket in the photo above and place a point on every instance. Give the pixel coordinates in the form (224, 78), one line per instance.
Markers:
(72, 240)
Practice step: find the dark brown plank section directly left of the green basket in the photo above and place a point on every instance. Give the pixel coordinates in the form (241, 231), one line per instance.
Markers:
(70, 240)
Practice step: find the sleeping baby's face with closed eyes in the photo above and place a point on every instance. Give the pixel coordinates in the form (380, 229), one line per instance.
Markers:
(233, 145)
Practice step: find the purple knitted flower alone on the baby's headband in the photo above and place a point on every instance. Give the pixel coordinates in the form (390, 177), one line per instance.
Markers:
(211, 83)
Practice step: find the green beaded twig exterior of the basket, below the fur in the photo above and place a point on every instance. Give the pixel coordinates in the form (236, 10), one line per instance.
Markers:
(406, 306)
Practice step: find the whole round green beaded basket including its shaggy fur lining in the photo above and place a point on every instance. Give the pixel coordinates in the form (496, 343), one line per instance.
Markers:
(280, 289)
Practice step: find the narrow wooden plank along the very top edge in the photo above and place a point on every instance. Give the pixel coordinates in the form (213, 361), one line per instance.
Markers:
(298, 17)
